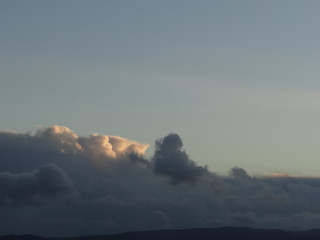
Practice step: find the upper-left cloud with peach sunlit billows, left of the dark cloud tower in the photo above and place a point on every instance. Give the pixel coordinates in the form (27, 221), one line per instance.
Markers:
(52, 144)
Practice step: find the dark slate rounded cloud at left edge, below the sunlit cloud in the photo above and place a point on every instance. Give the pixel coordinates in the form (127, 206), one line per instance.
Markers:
(46, 184)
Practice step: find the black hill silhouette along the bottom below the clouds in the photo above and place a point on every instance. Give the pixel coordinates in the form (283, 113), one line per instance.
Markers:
(224, 233)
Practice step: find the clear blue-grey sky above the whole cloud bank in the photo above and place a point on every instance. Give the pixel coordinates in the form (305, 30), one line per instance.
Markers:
(237, 80)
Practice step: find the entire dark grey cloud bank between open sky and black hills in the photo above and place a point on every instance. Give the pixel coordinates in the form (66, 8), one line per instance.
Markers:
(55, 183)
